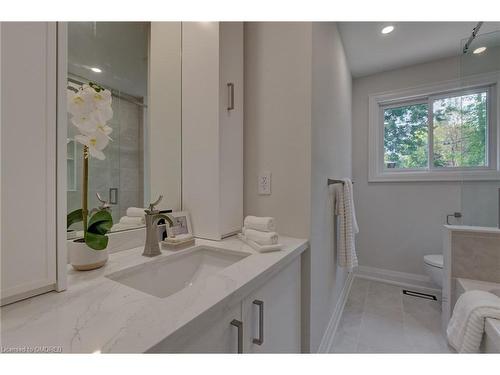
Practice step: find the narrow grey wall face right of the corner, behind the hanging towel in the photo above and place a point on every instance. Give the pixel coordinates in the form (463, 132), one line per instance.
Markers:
(331, 157)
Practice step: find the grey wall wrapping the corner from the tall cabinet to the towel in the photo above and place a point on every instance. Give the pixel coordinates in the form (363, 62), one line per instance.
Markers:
(297, 125)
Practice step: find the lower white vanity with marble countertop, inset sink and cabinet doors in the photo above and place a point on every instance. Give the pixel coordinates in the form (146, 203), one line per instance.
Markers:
(217, 296)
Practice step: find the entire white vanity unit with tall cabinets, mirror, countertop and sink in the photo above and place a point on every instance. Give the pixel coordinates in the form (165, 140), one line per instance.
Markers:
(172, 136)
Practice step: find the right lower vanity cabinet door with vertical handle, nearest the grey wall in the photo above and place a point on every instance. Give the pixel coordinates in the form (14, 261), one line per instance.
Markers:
(271, 314)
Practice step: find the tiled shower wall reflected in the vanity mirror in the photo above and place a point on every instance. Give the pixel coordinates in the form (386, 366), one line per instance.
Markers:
(123, 167)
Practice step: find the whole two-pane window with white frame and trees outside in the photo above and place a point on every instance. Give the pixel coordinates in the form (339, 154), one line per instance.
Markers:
(448, 134)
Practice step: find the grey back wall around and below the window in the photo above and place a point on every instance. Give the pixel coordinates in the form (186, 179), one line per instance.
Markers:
(399, 222)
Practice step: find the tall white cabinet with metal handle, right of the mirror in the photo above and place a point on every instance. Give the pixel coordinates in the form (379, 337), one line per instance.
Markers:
(212, 127)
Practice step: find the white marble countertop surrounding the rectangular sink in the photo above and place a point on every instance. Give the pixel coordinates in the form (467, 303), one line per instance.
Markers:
(99, 314)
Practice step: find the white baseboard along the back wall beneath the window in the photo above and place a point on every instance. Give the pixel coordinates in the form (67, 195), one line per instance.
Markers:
(408, 280)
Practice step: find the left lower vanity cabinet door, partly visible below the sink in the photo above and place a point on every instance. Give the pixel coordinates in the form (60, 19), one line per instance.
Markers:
(218, 336)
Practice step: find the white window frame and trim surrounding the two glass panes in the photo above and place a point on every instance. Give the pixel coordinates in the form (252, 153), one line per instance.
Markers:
(427, 94)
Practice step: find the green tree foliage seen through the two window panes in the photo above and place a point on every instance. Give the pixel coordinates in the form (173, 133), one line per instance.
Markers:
(460, 133)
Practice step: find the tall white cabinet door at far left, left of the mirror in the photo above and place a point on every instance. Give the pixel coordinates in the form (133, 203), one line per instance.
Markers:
(28, 157)
